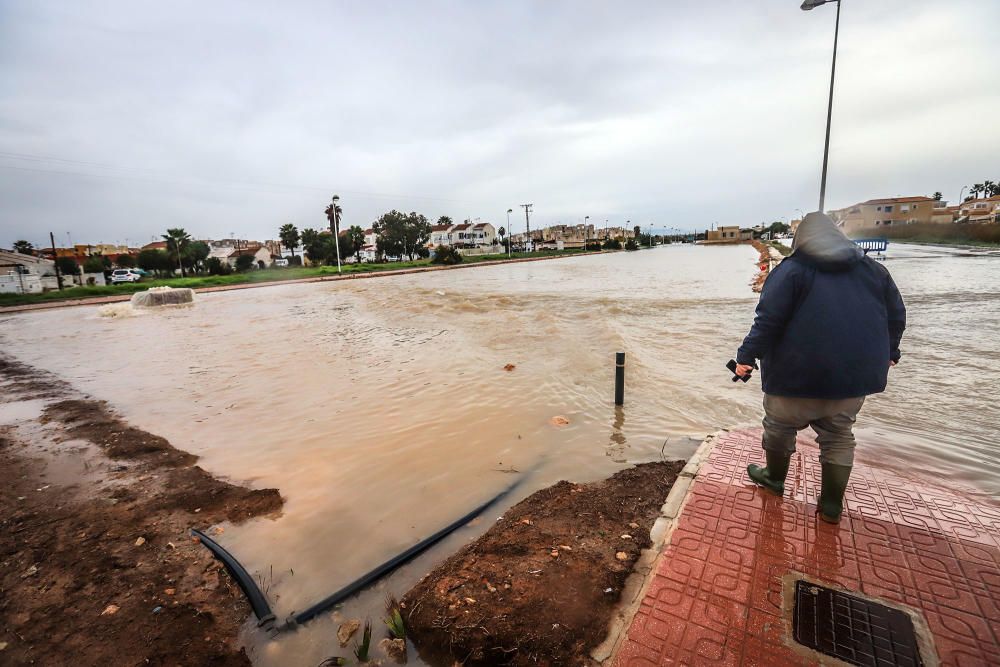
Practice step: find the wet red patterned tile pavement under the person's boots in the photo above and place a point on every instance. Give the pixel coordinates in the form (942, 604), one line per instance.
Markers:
(716, 597)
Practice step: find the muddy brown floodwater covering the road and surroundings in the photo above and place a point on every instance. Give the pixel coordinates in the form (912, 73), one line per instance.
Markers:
(382, 411)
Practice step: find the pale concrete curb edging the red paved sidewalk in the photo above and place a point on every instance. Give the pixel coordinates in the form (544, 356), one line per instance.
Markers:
(634, 591)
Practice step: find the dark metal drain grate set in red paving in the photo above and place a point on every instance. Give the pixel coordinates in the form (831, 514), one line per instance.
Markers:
(853, 629)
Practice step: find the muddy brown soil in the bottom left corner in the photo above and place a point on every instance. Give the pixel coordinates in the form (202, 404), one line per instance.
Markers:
(101, 570)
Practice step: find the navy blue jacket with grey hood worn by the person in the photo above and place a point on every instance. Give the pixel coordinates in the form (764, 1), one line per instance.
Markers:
(829, 319)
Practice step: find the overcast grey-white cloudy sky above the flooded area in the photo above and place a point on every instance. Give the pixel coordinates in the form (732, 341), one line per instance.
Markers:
(120, 119)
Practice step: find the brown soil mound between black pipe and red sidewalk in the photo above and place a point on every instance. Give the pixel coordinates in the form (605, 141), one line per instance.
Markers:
(540, 587)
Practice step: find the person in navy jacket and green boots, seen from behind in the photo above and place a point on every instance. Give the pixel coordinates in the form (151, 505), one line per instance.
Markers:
(827, 329)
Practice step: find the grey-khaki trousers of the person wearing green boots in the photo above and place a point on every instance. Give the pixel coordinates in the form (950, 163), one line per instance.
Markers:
(833, 421)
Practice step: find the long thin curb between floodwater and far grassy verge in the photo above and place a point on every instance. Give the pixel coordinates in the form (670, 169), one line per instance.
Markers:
(99, 300)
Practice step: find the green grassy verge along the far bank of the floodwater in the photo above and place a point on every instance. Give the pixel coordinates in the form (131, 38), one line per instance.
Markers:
(266, 275)
